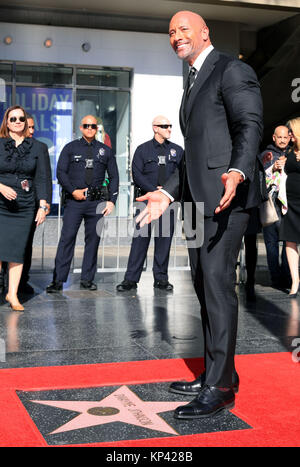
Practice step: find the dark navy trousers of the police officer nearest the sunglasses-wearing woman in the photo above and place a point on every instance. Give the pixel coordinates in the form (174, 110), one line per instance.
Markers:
(74, 213)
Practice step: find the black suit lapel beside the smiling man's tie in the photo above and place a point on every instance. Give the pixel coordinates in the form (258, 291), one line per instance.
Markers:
(205, 71)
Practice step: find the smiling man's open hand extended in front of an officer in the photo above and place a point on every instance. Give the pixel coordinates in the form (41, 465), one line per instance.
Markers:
(158, 202)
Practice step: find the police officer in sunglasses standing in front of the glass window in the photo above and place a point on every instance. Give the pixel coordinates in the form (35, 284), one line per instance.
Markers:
(81, 171)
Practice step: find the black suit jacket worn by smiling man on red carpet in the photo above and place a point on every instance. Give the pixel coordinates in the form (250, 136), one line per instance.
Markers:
(222, 127)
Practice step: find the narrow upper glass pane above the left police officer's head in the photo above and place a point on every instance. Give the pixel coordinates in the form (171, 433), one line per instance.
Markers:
(103, 77)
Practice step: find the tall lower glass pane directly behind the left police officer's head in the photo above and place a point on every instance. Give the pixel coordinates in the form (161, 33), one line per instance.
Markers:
(112, 111)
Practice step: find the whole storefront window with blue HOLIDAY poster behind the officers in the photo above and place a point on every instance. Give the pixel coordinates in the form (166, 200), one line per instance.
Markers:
(57, 122)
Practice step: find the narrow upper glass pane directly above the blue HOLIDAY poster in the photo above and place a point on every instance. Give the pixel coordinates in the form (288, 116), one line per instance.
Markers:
(47, 75)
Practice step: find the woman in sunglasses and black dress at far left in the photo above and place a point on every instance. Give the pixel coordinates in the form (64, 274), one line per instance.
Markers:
(22, 183)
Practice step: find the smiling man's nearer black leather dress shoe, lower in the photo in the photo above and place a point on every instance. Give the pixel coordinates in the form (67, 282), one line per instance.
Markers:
(209, 402)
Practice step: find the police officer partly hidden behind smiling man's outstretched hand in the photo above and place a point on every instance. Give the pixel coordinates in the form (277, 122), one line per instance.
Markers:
(153, 163)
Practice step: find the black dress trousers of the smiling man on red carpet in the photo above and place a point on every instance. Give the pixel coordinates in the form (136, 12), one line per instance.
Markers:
(213, 268)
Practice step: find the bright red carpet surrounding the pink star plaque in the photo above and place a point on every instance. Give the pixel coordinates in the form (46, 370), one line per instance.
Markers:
(268, 400)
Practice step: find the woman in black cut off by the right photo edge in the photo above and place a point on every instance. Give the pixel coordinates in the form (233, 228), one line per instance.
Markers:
(290, 224)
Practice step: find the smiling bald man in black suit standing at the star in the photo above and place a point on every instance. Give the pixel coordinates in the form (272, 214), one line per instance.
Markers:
(221, 120)
